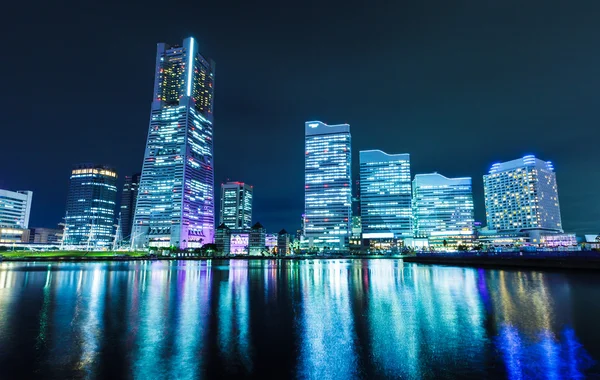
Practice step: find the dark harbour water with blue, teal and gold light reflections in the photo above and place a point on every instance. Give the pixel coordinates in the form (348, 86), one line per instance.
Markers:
(321, 319)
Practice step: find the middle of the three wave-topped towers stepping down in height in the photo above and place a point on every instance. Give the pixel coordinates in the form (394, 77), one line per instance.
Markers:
(385, 195)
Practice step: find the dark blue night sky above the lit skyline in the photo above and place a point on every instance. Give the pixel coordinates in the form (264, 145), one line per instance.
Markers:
(457, 84)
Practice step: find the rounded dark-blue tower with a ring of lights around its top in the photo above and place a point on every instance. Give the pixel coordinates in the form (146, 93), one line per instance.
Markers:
(91, 202)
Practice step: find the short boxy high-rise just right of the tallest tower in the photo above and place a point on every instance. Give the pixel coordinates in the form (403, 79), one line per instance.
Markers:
(236, 205)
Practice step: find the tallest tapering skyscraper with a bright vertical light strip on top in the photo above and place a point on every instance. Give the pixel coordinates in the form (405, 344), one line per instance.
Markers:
(175, 205)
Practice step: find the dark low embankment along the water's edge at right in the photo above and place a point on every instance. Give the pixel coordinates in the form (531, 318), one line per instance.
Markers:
(571, 263)
